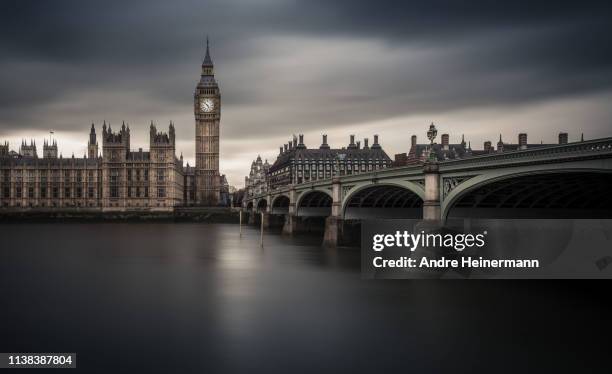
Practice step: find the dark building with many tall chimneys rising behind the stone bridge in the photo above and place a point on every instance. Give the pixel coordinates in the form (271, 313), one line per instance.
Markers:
(298, 164)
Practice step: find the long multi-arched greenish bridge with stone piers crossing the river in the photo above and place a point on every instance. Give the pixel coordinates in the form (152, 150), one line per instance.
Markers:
(570, 180)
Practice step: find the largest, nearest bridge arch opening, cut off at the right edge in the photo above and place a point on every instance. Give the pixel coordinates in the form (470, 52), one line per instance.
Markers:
(544, 193)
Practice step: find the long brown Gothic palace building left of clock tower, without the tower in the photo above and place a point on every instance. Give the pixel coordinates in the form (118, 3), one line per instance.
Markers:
(117, 180)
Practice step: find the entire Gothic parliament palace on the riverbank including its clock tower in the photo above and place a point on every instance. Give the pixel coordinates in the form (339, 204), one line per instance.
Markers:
(119, 178)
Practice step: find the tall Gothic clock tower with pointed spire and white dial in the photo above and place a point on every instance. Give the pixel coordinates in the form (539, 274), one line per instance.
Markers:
(207, 109)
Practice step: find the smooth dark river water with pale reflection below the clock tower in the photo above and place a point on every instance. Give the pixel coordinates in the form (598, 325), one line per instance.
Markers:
(175, 298)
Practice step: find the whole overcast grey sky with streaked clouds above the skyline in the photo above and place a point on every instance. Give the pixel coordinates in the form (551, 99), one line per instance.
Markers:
(318, 66)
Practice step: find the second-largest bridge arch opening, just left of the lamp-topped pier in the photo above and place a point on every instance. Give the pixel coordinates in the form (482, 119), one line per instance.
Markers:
(383, 200)
